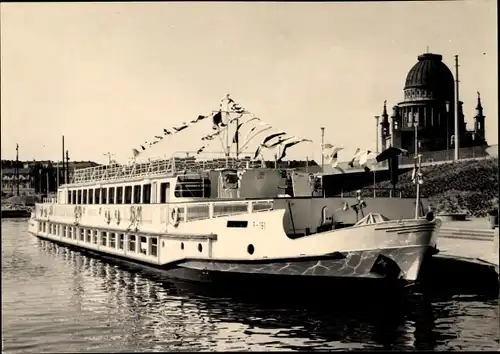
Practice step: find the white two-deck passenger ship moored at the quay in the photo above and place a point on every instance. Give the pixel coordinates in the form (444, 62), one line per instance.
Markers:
(211, 221)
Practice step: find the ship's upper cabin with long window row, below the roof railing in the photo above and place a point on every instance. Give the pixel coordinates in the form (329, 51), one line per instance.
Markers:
(225, 183)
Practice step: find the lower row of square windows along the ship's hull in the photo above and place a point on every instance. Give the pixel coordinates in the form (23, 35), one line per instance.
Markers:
(119, 241)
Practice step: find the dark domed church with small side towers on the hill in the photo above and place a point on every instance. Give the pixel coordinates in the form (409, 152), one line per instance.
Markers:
(429, 102)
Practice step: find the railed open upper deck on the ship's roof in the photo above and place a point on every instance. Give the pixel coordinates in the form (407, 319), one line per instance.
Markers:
(156, 167)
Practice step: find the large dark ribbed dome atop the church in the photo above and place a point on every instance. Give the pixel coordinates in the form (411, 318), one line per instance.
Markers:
(432, 76)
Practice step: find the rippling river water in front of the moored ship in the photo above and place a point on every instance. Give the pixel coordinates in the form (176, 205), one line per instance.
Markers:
(58, 300)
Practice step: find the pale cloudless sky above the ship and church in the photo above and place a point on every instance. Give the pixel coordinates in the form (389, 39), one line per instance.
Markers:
(110, 76)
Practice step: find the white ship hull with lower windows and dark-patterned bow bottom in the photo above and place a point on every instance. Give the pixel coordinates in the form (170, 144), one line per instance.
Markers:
(204, 248)
